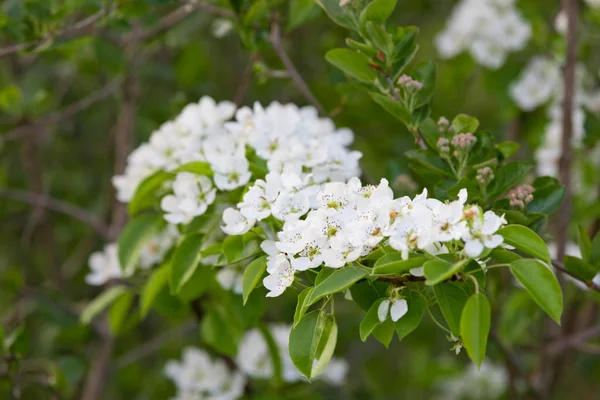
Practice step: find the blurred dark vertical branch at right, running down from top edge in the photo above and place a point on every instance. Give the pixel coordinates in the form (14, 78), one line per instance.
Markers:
(564, 217)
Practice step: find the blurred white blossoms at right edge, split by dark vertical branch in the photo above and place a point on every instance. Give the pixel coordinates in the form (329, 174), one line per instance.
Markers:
(541, 83)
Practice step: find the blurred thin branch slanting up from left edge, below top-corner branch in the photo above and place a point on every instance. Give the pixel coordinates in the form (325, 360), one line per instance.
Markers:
(66, 113)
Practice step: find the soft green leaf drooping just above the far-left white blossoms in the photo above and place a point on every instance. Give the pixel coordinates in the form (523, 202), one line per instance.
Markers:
(134, 236)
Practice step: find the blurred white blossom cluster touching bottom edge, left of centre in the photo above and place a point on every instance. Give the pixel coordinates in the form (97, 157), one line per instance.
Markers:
(197, 376)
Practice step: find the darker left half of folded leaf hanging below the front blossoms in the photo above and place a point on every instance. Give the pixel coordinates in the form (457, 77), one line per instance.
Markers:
(304, 341)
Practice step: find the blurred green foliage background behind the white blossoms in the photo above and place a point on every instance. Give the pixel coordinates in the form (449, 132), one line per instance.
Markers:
(73, 107)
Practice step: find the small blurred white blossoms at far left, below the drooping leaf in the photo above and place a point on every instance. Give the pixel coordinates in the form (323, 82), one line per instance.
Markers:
(105, 266)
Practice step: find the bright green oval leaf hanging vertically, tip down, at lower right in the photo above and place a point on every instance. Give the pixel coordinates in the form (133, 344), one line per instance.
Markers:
(475, 324)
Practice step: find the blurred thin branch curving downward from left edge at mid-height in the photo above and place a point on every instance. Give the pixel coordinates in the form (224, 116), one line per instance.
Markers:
(56, 205)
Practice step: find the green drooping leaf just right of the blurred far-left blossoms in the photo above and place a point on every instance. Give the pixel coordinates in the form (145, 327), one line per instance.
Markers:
(185, 260)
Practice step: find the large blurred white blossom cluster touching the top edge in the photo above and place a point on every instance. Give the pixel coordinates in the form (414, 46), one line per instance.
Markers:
(487, 29)
